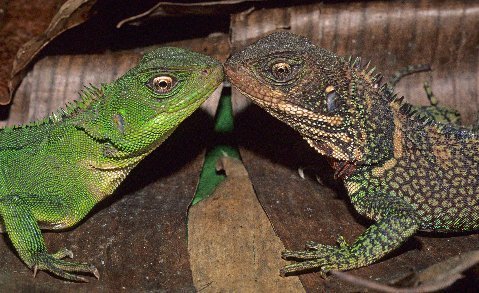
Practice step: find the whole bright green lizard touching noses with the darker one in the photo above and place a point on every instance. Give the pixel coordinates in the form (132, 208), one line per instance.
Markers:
(56, 169)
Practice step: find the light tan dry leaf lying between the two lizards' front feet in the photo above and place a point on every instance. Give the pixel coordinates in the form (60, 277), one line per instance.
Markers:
(231, 243)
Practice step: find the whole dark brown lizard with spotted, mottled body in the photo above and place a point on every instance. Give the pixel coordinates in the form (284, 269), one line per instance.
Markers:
(401, 168)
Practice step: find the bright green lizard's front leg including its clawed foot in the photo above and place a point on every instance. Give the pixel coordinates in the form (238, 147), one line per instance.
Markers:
(23, 230)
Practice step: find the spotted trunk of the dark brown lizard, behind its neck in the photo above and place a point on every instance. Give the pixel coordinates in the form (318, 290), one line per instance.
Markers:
(434, 167)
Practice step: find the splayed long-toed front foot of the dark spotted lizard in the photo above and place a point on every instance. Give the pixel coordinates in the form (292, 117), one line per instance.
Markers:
(319, 256)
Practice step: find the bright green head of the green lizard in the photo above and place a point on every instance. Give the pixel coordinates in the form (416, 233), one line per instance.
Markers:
(140, 109)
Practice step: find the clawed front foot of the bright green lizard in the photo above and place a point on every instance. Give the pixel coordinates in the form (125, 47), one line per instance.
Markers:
(55, 264)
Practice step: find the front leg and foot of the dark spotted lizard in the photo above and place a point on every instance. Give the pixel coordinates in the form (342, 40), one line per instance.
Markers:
(396, 222)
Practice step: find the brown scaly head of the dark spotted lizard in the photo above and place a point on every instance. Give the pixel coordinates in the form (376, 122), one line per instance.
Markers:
(308, 88)
